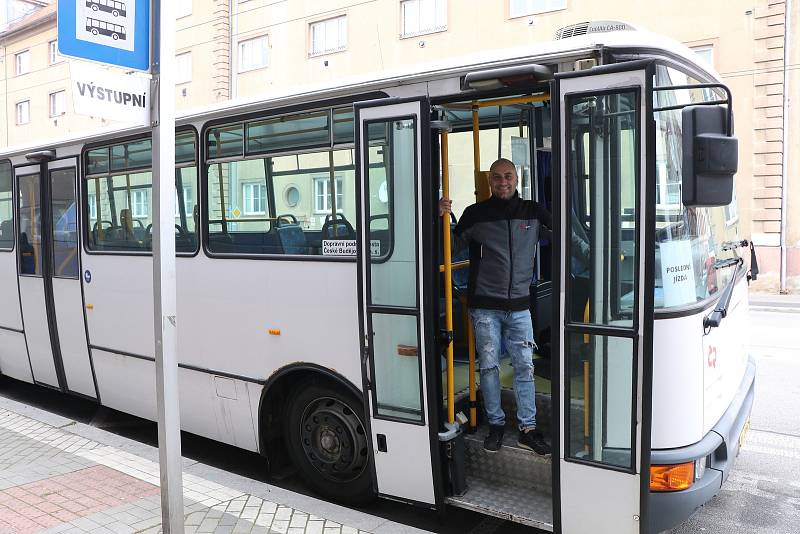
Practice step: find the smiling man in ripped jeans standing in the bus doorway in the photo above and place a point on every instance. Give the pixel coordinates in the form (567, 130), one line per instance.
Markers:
(502, 233)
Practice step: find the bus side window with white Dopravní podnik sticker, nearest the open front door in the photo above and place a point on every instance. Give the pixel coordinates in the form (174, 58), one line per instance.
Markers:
(296, 203)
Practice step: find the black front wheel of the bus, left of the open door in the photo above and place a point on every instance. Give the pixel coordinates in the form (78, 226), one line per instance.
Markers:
(327, 441)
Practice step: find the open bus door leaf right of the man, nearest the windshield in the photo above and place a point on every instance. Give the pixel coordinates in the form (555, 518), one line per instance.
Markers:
(606, 297)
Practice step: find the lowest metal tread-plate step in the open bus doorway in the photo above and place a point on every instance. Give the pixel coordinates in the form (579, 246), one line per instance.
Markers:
(509, 501)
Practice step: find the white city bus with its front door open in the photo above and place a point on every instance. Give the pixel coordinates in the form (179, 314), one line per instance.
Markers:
(312, 305)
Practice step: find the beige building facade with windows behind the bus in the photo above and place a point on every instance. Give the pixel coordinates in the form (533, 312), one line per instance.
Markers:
(231, 49)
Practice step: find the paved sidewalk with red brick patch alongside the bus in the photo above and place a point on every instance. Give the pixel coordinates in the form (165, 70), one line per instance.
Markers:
(57, 475)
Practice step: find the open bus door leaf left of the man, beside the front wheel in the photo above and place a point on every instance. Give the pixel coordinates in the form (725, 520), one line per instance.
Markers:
(392, 141)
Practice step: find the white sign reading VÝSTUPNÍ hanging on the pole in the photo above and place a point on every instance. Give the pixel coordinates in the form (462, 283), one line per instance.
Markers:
(103, 93)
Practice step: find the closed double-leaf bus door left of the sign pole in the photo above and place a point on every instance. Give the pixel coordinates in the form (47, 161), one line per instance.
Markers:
(49, 276)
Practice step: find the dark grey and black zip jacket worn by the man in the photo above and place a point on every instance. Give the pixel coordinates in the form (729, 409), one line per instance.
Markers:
(502, 237)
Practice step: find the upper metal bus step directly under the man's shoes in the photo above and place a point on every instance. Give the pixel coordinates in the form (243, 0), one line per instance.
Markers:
(511, 464)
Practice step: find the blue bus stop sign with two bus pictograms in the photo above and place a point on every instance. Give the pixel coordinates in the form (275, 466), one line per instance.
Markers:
(107, 31)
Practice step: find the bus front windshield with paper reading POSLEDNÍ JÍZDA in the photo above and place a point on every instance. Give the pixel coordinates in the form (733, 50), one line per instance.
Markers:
(688, 239)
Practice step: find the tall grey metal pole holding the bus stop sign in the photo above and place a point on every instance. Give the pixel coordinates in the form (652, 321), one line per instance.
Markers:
(164, 280)
